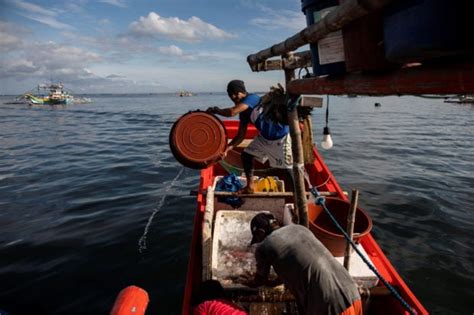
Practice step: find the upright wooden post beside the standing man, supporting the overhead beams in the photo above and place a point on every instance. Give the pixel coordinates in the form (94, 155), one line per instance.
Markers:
(301, 206)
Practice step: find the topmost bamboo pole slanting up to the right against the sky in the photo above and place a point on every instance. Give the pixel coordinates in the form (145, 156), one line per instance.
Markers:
(346, 12)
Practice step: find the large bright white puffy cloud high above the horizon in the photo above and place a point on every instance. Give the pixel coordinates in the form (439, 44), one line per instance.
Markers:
(193, 29)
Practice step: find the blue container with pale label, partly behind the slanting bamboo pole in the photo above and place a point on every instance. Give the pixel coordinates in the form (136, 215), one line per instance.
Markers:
(328, 54)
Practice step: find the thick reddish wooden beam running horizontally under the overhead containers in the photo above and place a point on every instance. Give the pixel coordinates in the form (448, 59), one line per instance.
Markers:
(444, 78)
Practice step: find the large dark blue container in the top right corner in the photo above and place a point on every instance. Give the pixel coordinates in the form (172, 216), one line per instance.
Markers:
(416, 30)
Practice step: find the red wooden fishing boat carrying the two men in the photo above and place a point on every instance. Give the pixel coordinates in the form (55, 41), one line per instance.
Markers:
(208, 241)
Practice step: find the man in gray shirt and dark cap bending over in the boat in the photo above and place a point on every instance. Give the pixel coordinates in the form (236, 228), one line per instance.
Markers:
(319, 283)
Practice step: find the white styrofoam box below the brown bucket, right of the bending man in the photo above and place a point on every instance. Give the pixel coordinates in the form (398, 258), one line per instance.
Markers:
(359, 271)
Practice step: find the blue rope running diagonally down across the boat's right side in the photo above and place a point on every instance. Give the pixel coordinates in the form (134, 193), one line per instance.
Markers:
(321, 201)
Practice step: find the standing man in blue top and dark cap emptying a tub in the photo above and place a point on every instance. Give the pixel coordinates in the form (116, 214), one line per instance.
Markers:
(273, 143)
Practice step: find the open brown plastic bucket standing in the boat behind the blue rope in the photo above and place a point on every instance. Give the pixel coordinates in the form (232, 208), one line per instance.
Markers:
(324, 229)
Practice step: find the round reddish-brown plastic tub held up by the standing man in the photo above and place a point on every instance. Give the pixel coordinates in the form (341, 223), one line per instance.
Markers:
(197, 139)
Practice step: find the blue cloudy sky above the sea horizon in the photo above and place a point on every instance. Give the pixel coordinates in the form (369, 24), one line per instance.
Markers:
(125, 46)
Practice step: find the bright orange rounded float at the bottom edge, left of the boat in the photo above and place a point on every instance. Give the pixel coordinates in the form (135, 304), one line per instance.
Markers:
(131, 301)
